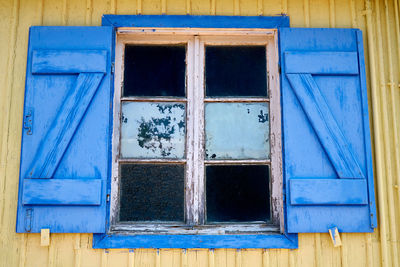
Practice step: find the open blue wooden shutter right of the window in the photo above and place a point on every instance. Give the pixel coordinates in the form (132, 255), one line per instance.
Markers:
(326, 137)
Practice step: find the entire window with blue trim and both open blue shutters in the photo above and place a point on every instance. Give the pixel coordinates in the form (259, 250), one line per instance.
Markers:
(68, 174)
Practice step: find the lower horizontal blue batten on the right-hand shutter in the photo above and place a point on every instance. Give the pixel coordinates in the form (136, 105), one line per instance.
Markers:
(328, 192)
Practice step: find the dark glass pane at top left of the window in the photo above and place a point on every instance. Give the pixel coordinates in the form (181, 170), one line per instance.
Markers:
(154, 70)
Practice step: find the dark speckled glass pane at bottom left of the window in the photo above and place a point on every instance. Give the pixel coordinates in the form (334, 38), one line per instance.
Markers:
(151, 192)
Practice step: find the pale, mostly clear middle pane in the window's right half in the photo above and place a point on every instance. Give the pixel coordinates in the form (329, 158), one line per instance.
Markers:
(237, 130)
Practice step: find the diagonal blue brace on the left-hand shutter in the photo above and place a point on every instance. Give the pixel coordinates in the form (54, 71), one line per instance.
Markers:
(62, 129)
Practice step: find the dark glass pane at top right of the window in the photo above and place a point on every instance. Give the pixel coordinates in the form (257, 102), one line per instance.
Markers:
(235, 71)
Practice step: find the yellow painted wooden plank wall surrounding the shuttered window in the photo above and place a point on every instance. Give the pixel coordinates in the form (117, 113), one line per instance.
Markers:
(379, 21)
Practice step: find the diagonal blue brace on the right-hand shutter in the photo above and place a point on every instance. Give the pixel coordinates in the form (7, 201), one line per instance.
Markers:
(325, 126)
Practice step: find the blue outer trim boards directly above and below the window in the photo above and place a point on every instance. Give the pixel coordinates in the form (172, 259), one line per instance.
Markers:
(103, 241)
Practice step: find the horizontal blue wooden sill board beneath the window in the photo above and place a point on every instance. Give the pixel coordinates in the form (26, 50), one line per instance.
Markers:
(288, 241)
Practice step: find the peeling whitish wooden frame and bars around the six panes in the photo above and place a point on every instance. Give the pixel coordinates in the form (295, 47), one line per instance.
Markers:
(196, 40)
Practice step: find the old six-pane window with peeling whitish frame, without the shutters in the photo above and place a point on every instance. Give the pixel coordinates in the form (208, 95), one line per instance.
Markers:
(196, 141)
